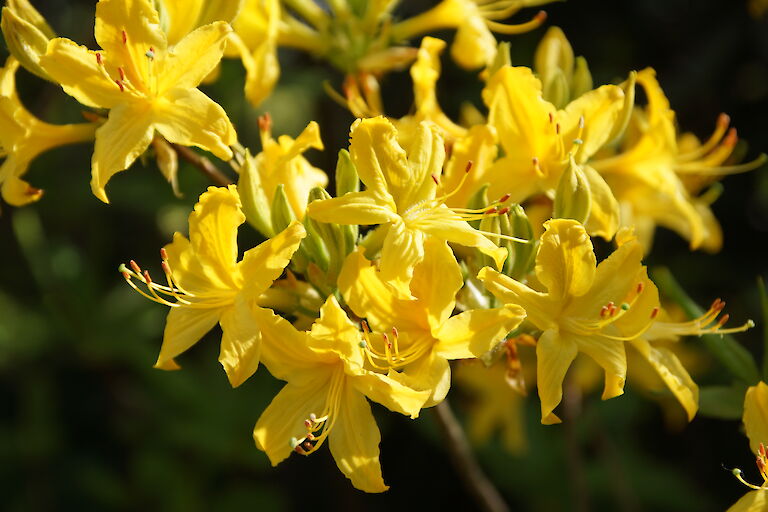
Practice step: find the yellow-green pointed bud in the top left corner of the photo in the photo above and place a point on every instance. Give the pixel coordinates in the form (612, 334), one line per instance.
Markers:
(26, 35)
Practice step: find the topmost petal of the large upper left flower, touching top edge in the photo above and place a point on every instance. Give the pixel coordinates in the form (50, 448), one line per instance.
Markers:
(140, 23)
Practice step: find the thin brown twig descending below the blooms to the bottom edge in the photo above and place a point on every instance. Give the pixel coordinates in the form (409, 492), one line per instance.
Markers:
(465, 463)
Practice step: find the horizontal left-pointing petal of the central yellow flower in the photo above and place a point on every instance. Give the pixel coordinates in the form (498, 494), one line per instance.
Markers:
(354, 208)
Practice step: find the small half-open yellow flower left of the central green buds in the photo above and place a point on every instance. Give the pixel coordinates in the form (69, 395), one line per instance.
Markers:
(281, 161)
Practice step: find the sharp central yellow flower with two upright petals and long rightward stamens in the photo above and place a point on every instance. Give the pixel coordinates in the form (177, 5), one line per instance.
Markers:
(401, 193)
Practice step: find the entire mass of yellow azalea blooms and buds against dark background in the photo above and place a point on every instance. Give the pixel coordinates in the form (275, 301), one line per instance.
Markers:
(444, 239)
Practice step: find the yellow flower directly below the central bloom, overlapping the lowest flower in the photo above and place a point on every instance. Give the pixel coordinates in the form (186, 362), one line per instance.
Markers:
(424, 335)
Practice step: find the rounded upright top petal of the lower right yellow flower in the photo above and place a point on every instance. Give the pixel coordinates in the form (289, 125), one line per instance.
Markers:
(565, 261)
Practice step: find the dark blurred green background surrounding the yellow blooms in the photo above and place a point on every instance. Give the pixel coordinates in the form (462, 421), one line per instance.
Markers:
(86, 423)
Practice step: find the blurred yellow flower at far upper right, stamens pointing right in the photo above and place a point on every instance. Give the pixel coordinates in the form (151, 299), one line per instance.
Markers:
(656, 178)
